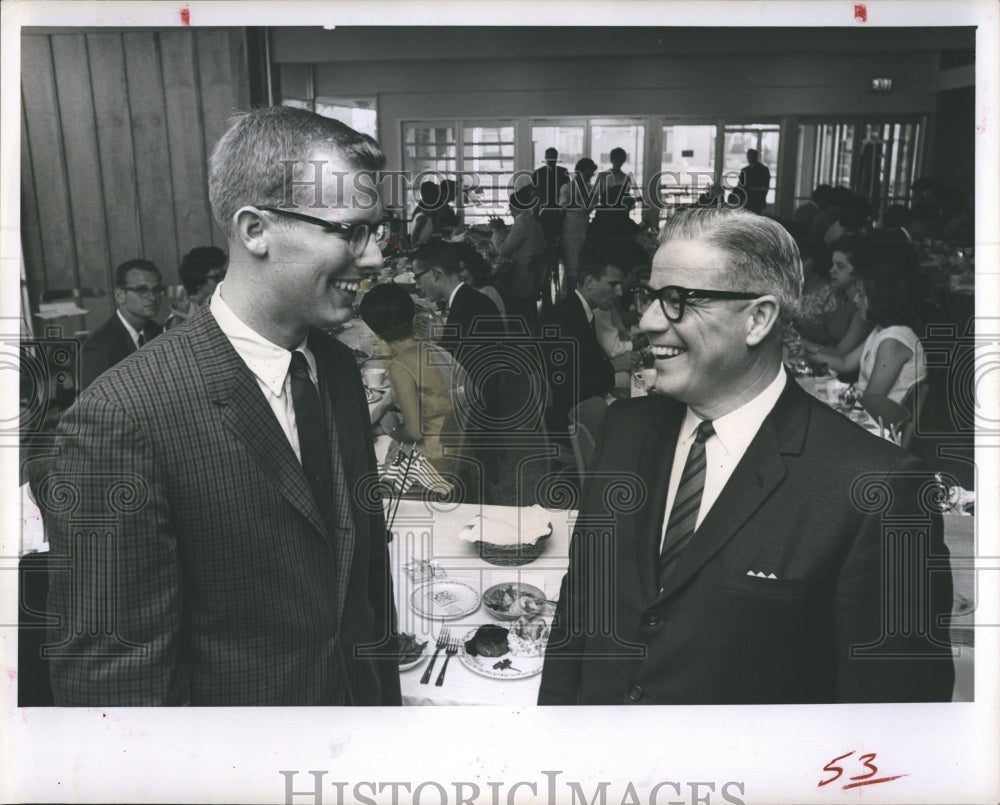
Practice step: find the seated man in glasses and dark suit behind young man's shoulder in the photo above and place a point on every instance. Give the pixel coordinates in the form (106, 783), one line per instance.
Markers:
(138, 293)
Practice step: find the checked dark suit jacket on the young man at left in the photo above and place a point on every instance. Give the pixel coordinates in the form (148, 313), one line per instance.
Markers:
(174, 475)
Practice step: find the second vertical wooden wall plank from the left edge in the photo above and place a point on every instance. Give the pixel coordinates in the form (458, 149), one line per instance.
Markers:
(83, 174)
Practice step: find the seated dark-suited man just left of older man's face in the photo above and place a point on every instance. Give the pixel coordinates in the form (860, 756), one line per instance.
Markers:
(588, 373)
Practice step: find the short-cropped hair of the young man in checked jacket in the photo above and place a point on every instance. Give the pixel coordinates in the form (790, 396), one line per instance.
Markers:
(250, 163)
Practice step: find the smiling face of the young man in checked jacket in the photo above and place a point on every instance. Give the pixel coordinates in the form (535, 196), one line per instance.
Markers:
(314, 275)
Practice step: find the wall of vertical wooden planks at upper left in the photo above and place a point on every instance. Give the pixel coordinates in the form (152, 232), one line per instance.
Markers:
(116, 129)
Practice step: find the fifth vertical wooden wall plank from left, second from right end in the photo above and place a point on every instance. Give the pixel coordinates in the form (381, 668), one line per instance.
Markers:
(185, 134)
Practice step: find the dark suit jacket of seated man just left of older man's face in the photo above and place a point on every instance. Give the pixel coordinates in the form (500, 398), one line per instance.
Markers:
(574, 375)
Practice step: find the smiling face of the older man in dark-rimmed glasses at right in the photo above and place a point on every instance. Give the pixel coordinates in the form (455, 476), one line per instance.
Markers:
(703, 360)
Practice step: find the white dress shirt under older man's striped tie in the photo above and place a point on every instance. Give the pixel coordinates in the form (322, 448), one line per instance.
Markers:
(724, 449)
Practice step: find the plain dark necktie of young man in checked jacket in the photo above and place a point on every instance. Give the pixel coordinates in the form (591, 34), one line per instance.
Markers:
(312, 437)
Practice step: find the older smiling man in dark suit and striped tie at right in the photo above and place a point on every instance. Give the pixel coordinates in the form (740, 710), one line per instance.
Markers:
(735, 541)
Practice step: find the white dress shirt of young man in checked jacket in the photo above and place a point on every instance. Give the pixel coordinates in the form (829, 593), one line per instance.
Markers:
(268, 362)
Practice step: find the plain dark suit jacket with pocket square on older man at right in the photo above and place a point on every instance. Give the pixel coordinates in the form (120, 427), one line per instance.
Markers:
(832, 511)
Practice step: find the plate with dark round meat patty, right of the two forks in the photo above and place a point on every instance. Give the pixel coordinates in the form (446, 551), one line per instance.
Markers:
(499, 652)
